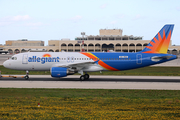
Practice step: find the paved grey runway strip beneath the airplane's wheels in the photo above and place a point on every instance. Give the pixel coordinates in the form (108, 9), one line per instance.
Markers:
(95, 82)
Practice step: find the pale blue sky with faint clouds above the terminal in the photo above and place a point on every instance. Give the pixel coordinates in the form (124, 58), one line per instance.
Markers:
(58, 19)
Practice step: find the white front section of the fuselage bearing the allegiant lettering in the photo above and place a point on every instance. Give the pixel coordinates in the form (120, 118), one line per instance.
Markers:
(36, 61)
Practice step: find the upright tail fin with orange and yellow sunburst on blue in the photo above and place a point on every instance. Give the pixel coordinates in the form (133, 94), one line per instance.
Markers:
(160, 43)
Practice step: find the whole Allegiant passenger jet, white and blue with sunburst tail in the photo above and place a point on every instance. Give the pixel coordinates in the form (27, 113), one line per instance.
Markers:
(62, 64)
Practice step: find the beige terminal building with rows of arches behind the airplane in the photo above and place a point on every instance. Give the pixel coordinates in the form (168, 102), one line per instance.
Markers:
(107, 40)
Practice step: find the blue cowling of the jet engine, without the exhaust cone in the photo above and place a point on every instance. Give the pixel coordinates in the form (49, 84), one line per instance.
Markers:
(59, 72)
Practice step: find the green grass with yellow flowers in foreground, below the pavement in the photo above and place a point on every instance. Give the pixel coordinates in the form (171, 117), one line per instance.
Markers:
(72, 104)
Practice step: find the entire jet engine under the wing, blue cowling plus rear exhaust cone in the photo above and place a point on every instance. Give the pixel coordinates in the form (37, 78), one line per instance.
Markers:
(61, 71)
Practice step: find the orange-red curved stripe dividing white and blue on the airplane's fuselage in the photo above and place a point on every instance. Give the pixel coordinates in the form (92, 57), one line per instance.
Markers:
(100, 62)
